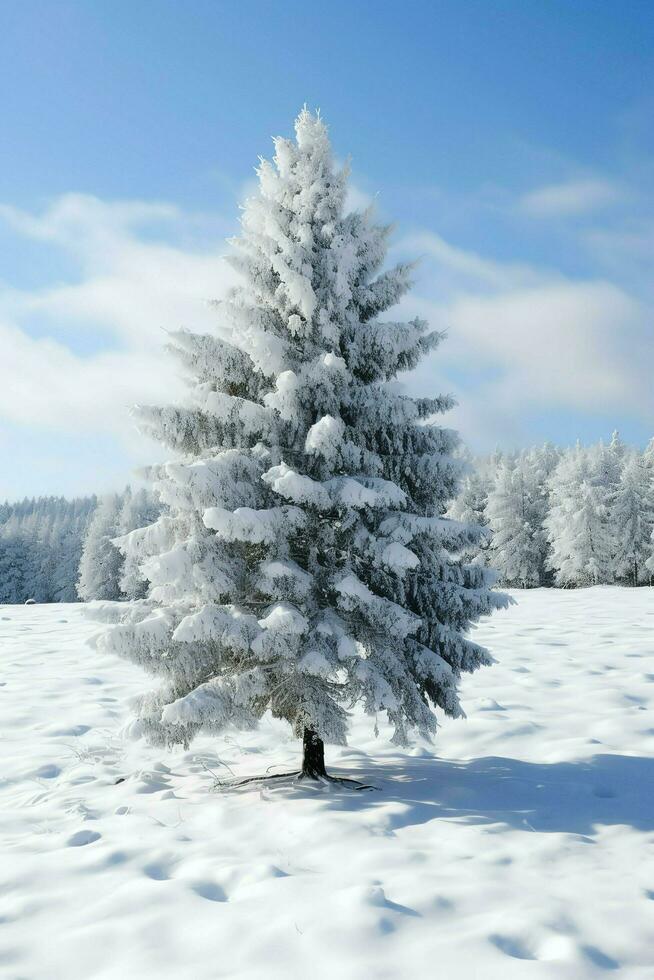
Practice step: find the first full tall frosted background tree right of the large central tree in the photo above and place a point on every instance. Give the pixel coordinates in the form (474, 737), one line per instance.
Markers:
(515, 548)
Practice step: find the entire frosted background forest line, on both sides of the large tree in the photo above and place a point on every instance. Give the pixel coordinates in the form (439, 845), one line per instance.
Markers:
(554, 517)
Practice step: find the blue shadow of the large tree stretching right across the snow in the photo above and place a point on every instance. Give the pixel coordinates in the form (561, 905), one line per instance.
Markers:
(560, 797)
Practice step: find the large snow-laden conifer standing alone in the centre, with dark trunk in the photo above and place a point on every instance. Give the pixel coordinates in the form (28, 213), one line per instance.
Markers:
(303, 563)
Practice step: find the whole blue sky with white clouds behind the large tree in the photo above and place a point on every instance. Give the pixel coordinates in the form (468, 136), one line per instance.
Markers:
(511, 142)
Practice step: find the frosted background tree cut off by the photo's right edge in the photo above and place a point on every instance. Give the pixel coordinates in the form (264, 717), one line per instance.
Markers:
(632, 521)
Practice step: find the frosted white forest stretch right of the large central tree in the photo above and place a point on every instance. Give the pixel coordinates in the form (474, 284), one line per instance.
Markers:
(564, 517)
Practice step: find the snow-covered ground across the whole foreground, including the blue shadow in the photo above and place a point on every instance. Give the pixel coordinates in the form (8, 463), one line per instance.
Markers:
(523, 848)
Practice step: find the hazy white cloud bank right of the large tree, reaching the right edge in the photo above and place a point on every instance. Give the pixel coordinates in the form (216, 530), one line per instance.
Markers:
(523, 341)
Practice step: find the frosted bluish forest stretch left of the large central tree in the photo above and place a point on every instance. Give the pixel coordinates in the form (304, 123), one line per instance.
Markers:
(58, 550)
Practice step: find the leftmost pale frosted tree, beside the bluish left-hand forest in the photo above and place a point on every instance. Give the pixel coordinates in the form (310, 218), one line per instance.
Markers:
(101, 562)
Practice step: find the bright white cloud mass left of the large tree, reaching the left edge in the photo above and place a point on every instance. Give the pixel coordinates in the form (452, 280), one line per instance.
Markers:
(132, 285)
